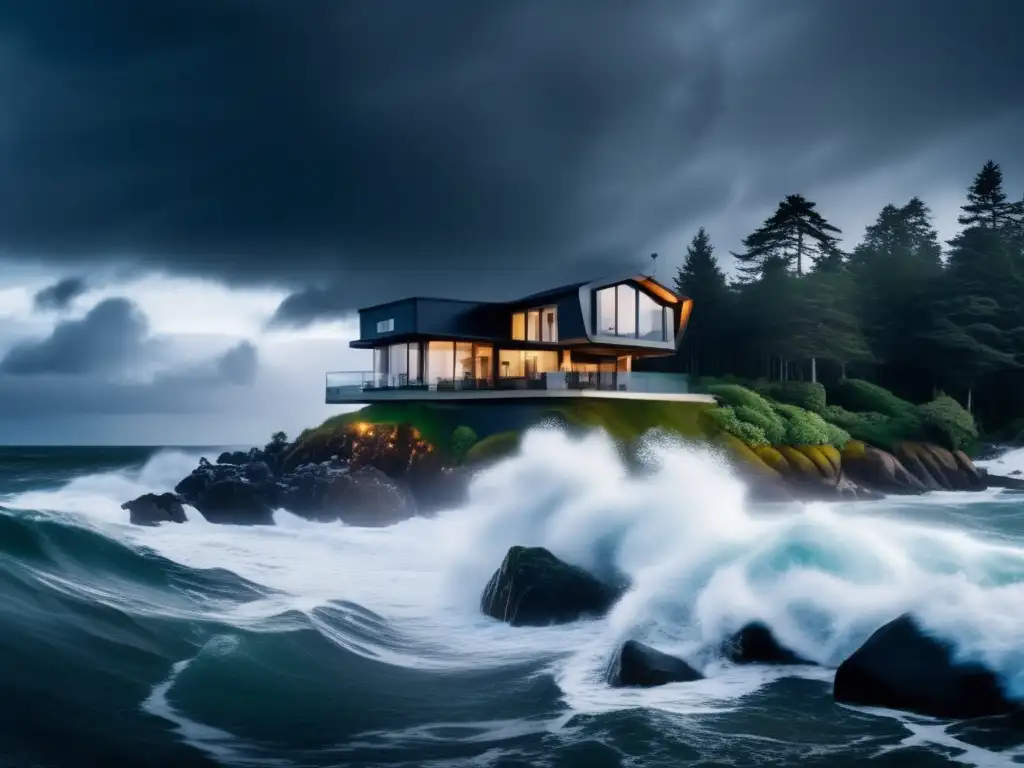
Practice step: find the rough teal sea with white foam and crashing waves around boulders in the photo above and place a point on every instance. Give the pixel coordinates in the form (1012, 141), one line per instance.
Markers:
(314, 645)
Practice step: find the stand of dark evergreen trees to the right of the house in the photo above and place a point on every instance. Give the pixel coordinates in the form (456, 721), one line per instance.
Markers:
(902, 310)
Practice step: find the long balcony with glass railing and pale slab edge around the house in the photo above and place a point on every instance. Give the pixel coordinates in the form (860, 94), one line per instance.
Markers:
(366, 387)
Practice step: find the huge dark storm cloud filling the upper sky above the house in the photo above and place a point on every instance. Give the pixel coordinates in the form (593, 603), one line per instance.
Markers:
(356, 152)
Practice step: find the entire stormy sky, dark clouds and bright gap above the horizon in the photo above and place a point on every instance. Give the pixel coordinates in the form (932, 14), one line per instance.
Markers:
(195, 194)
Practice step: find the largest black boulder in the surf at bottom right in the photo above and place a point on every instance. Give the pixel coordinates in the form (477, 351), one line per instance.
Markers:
(903, 667)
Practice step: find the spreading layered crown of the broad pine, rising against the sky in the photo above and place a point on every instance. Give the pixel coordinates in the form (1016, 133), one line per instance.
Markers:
(795, 235)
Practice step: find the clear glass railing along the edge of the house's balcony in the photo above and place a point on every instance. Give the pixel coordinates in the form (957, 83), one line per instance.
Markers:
(350, 383)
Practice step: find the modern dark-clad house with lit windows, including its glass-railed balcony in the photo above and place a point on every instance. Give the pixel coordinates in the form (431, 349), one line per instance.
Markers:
(578, 340)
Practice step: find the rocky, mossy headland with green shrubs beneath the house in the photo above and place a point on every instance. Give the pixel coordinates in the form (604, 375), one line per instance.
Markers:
(386, 463)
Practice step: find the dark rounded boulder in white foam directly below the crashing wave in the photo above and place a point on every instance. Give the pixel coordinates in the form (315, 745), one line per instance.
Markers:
(533, 588)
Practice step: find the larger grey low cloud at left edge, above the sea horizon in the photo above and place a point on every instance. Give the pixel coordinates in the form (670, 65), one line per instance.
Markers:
(107, 340)
